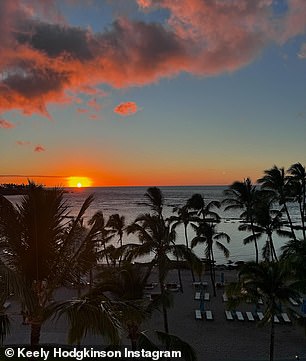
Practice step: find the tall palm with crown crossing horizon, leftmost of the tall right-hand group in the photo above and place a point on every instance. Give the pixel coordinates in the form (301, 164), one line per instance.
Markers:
(242, 195)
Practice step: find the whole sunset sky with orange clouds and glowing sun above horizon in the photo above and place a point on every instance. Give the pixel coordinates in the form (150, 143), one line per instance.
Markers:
(150, 92)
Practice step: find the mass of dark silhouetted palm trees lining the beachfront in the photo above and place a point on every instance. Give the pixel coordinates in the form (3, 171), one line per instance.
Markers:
(43, 248)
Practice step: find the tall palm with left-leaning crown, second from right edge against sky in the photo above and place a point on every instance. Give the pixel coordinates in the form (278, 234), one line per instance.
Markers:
(276, 181)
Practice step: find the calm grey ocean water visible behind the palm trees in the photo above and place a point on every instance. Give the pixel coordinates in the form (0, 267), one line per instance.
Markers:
(127, 202)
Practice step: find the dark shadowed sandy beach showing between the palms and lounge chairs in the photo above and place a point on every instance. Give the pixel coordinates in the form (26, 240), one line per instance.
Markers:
(218, 339)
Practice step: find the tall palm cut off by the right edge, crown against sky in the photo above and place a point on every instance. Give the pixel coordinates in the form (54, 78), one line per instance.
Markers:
(297, 181)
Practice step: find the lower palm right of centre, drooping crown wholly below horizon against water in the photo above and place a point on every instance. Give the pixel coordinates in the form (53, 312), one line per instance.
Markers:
(206, 234)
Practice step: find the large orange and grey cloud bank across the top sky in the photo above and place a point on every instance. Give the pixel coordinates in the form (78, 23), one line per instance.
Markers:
(45, 62)
